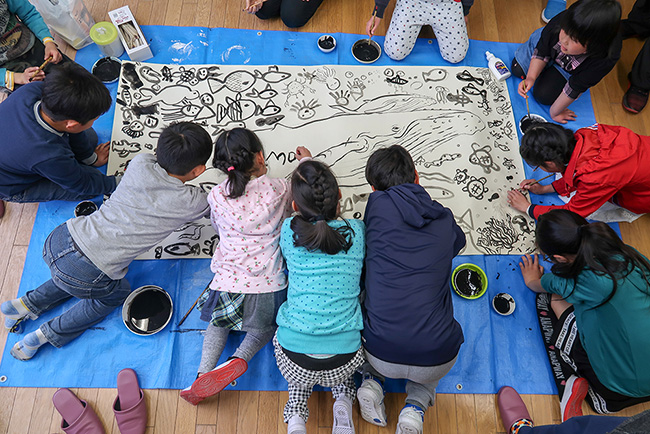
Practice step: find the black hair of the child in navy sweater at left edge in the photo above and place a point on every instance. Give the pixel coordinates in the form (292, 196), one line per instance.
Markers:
(72, 93)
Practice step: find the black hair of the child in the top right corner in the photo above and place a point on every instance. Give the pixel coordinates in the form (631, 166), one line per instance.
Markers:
(593, 23)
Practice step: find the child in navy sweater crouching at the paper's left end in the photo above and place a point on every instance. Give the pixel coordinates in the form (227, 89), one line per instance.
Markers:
(48, 145)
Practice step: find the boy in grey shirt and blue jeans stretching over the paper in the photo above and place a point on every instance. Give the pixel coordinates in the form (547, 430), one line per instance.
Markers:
(89, 256)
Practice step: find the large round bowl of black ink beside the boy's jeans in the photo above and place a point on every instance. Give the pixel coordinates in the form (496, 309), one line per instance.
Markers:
(147, 310)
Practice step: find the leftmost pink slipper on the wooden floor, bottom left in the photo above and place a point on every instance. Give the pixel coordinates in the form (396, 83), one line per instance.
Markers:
(78, 416)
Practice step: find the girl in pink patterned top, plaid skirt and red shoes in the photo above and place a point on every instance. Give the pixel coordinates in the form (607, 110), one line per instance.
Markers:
(249, 285)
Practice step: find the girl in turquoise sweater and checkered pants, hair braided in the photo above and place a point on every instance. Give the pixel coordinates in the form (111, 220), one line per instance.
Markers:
(318, 339)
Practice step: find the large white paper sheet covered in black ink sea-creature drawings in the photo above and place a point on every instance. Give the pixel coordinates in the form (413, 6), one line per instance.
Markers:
(456, 122)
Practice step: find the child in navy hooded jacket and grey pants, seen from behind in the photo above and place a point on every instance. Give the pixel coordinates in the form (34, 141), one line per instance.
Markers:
(409, 326)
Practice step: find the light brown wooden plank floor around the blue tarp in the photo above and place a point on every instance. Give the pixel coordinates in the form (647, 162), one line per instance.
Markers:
(28, 410)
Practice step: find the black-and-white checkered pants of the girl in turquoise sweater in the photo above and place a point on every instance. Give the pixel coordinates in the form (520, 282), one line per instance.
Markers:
(302, 381)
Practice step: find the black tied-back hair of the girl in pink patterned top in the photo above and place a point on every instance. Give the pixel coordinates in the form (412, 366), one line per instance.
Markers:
(234, 154)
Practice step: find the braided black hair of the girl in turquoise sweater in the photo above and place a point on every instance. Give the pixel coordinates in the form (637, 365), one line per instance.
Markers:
(316, 196)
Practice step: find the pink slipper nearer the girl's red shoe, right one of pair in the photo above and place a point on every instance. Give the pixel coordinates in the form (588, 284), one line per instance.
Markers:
(129, 406)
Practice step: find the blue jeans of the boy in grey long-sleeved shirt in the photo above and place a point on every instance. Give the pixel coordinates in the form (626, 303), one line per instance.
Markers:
(73, 275)
